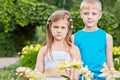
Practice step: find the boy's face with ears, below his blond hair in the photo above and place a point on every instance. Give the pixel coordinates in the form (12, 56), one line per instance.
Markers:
(90, 16)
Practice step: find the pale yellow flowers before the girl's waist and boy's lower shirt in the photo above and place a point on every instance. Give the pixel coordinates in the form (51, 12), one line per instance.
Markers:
(76, 64)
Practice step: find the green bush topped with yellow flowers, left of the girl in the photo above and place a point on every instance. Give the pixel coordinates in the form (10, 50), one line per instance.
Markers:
(29, 55)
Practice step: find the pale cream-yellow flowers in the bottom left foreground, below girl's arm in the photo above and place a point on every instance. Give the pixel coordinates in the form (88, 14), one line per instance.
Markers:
(25, 73)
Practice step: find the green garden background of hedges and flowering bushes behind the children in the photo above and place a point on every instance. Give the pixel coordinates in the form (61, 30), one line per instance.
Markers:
(23, 23)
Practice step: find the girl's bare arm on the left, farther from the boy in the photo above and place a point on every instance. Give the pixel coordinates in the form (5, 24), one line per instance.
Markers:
(40, 60)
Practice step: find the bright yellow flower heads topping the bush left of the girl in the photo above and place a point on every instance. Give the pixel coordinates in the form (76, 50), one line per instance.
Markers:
(29, 49)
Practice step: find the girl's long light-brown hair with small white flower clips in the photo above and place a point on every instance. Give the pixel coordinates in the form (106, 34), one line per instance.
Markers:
(56, 16)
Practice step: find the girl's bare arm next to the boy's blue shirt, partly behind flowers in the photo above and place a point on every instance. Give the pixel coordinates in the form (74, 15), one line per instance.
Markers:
(75, 54)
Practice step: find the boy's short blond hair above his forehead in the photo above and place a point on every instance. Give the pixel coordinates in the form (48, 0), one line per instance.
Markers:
(85, 3)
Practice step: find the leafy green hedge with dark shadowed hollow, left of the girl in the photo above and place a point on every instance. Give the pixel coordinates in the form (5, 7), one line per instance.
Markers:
(18, 21)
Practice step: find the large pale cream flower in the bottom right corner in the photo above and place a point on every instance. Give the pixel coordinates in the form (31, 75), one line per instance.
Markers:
(109, 74)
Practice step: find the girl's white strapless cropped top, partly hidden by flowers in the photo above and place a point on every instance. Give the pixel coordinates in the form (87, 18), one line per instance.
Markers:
(57, 56)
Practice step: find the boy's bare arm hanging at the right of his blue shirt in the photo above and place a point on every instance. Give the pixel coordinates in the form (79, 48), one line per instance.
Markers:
(109, 51)
